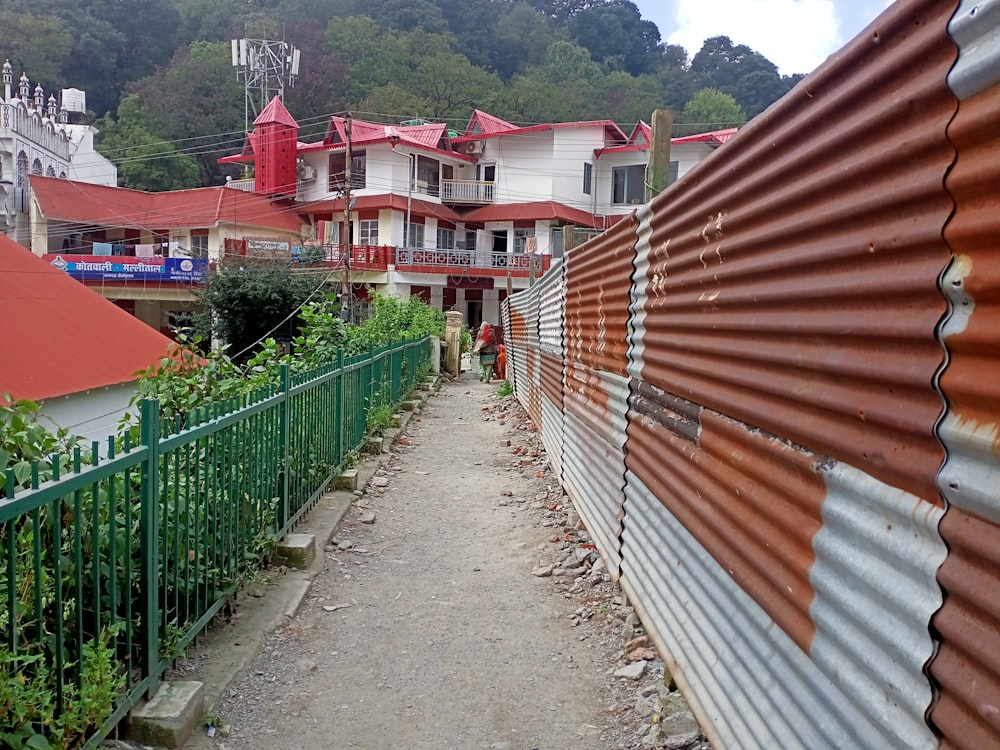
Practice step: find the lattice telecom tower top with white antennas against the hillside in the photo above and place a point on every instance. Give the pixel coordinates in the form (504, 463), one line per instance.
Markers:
(266, 67)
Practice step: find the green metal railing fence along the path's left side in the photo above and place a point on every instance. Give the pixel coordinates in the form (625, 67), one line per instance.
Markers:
(108, 571)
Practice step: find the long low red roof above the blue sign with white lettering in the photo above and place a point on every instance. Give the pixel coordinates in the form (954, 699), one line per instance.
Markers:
(87, 203)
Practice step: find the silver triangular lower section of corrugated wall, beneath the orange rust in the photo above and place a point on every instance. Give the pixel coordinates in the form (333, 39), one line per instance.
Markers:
(748, 682)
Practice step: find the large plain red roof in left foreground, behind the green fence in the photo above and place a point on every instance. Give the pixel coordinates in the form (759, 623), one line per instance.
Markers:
(62, 337)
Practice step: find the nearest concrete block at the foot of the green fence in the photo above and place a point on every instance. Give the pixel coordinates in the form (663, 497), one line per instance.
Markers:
(170, 717)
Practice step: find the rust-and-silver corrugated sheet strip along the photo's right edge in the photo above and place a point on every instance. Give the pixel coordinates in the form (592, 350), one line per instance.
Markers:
(967, 666)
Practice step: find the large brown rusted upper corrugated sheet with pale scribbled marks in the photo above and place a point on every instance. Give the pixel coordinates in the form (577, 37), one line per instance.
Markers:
(792, 276)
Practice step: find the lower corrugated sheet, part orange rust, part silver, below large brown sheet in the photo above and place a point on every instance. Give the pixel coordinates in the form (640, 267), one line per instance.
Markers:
(843, 564)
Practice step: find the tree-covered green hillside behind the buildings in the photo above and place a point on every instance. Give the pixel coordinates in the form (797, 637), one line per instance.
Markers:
(162, 89)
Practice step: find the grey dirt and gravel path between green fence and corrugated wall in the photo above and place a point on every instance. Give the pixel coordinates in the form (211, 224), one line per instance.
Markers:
(427, 629)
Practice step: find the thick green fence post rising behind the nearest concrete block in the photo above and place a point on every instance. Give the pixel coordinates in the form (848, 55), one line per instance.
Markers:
(149, 529)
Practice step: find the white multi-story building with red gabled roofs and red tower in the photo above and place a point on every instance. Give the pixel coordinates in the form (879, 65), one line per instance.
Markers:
(456, 218)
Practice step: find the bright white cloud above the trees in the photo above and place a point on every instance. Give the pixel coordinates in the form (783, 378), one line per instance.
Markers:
(796, 35)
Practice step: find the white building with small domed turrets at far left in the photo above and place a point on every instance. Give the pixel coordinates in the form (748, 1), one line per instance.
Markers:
(37, 137)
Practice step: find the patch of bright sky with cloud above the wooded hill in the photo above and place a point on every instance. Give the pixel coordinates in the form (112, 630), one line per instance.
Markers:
(796, 35)
